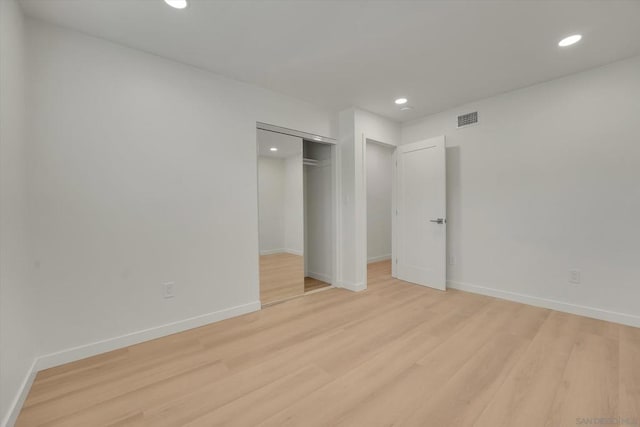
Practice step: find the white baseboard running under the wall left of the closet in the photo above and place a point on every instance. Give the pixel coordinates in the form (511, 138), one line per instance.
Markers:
(88, 350)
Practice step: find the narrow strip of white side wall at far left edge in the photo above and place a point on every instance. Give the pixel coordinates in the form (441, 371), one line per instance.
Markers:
(18, 341)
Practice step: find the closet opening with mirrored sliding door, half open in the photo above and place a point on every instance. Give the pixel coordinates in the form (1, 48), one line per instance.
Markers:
(295, 213)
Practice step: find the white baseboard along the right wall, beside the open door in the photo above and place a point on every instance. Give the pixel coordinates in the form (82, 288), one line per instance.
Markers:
(581, 310)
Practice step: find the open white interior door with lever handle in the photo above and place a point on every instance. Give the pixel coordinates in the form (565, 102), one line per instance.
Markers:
(421, 226)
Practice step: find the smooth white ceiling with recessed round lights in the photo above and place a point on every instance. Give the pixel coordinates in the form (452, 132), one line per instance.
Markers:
(337, 54)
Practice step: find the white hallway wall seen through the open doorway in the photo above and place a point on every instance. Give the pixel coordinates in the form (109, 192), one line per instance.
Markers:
(379, 182)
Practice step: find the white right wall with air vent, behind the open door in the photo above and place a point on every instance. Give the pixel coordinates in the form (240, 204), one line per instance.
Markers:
(548, 181)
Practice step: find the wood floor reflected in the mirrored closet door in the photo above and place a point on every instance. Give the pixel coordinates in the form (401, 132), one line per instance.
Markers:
(281, 277)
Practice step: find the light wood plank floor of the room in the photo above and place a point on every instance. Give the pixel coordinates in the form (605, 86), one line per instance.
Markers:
(396, 354)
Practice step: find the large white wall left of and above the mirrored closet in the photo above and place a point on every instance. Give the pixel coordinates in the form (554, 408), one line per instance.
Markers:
(143, 170)
